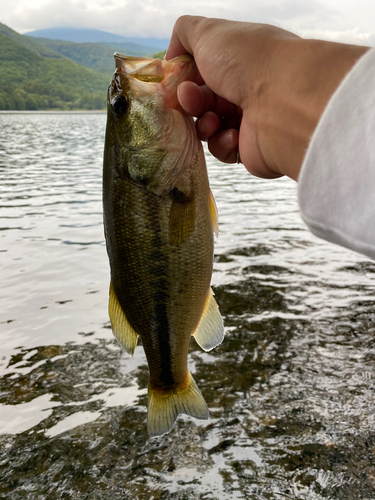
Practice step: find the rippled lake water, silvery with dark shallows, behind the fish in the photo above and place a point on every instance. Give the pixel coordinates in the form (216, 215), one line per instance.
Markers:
(290, 390)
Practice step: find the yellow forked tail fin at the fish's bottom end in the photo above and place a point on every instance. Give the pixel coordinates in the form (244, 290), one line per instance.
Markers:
(164, 407)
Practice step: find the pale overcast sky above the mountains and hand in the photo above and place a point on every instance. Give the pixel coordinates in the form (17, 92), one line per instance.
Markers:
(341, 20)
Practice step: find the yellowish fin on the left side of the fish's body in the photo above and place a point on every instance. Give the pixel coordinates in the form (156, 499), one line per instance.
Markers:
(121, 327)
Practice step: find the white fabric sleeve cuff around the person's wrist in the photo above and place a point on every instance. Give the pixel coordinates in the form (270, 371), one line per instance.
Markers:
(336, 185)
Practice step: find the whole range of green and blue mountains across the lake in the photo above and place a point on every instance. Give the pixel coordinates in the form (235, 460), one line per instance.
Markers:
(40, 74)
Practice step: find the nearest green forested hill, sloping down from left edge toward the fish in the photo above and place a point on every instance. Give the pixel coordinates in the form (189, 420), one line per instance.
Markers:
(33, 76)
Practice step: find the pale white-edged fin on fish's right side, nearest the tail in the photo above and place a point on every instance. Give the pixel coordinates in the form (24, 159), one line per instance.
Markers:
(210, 330)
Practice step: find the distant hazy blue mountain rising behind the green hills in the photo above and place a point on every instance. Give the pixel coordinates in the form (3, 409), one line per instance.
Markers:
(97, 36)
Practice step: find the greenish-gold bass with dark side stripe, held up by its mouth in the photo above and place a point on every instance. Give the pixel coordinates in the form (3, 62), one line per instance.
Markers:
(159, 222)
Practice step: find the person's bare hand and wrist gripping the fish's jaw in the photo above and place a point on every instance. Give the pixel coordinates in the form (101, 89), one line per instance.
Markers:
(261, 89)
